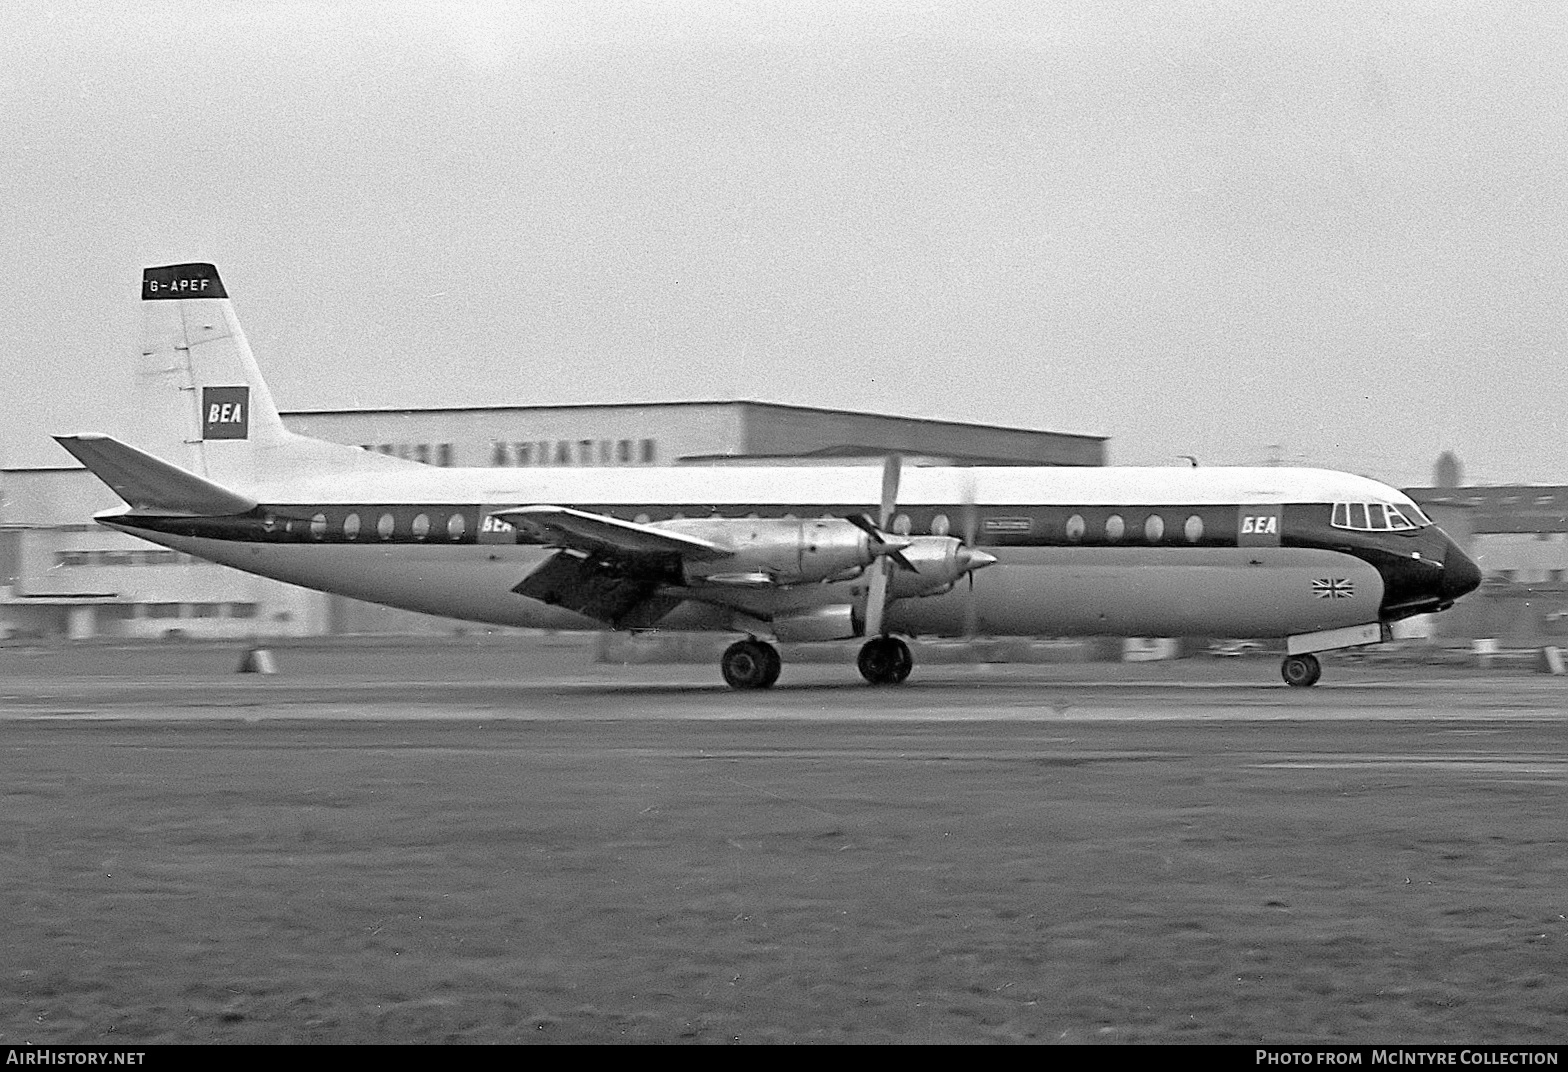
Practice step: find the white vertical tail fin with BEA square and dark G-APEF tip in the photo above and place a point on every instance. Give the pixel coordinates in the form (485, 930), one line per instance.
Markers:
(200, 385)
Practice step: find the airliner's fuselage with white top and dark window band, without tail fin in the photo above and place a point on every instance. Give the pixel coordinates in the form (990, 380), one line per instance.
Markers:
(1145, 552)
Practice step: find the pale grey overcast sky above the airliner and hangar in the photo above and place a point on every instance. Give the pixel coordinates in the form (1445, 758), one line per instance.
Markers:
(1324, 233)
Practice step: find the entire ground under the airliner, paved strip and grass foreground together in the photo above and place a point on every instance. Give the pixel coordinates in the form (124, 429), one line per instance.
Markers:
(636, 853)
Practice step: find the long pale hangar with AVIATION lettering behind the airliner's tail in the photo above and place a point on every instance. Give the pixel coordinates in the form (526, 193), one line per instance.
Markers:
(65, 576)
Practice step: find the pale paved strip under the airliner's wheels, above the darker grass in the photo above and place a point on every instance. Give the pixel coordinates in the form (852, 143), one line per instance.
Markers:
(1232, 692)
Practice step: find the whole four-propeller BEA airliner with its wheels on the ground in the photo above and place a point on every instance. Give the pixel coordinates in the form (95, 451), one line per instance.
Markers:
(775, 556)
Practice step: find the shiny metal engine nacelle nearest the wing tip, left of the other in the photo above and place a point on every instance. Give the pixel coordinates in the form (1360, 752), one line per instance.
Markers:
(777, 551)
